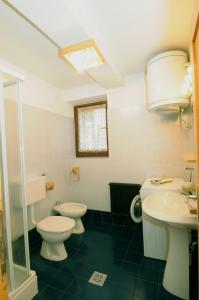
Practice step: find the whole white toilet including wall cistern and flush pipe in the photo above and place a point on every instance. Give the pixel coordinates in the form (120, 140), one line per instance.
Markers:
(53, 229)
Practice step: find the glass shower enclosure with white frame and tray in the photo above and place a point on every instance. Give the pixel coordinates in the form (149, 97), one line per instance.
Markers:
(17, 281)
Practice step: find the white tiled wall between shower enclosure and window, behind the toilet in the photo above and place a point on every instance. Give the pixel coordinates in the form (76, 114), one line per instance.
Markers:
(47, 146)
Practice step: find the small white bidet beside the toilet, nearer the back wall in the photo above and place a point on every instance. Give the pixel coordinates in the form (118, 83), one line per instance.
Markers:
(75, 211)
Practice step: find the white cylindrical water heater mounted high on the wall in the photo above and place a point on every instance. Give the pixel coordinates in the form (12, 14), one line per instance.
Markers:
(165, 81)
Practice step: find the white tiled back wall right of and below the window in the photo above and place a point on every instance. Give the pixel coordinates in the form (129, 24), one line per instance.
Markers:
(141, 144)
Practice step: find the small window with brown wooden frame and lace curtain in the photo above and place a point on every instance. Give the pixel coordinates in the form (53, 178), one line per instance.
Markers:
(91, 129)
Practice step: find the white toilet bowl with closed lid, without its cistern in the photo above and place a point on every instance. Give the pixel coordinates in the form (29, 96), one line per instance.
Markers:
(54, 230)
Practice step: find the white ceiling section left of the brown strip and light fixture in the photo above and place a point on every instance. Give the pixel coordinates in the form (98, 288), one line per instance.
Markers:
(21, 44)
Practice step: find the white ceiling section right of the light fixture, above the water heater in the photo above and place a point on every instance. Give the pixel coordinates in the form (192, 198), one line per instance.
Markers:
(132, 31)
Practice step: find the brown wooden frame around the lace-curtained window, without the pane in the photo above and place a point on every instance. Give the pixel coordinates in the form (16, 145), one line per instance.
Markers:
(89, 153)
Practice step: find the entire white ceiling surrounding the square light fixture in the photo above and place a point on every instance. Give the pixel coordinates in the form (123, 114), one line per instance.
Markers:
(128, 33)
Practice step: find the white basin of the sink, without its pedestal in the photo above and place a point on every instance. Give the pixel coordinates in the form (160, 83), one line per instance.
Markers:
(172, 208)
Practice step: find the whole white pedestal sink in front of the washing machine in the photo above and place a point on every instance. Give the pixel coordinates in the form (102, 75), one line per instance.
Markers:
(173, 209)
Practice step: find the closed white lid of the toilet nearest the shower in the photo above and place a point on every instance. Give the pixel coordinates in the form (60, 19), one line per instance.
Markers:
(56, 224)
